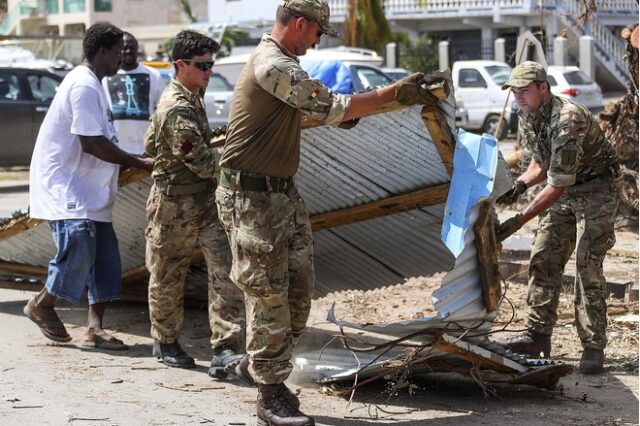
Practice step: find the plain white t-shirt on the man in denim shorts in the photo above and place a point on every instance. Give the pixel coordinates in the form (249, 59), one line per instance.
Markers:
(64, 181)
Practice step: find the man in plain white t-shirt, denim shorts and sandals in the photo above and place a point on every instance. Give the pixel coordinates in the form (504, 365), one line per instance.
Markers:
(73, 184)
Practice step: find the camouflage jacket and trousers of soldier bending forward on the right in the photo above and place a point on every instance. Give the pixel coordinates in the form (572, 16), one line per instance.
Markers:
(565, 138)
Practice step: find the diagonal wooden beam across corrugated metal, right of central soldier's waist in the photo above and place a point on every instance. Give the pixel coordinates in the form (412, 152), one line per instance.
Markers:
(396, 204)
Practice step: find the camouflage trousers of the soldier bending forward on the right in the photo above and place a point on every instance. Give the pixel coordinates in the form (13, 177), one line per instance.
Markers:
(583, 220)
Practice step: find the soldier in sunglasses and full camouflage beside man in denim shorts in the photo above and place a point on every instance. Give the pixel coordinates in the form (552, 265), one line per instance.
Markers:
(182, 214)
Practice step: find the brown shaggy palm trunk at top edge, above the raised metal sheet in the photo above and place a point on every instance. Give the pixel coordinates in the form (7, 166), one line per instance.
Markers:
(366, 25)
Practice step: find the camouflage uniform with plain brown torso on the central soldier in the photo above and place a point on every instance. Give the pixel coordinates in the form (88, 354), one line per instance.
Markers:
(263, 214)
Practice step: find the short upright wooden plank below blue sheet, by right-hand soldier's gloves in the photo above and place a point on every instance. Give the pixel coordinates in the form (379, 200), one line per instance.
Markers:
(486, 246)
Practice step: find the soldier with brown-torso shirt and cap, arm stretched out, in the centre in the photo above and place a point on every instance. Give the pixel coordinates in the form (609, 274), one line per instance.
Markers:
(259, 205)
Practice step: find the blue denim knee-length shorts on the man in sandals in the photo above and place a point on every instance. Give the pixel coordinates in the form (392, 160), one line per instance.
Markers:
(87, 258)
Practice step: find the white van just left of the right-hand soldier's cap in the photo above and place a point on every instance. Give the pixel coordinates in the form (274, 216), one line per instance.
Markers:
(478, 94)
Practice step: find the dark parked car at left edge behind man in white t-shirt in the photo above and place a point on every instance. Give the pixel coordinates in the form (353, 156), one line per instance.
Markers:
(25, 96)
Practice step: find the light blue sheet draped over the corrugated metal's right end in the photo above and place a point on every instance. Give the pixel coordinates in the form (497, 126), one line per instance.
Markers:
(474, 170)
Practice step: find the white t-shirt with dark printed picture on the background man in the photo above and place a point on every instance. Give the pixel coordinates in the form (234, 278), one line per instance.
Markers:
(133, 96)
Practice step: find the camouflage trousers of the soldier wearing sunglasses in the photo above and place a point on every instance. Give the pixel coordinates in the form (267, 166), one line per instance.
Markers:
(176, 226)
